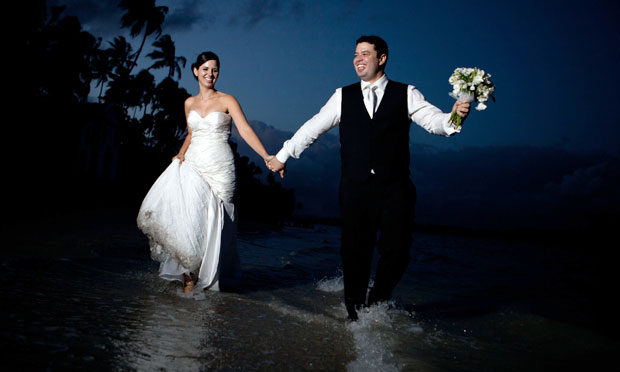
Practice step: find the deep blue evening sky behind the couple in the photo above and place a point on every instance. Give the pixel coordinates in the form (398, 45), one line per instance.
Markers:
(549, 139)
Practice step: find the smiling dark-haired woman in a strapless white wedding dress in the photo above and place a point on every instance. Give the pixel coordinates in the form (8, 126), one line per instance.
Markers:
(188, 214)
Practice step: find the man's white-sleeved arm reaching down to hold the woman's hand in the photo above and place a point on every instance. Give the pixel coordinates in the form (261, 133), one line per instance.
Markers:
(327, 118)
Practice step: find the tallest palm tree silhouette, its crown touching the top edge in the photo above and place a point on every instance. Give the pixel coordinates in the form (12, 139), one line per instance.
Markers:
(142, 15)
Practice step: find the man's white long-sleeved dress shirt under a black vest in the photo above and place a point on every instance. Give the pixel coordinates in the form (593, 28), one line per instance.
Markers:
(420, 111)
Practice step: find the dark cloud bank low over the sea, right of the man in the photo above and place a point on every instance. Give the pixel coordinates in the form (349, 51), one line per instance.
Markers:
(517, 187)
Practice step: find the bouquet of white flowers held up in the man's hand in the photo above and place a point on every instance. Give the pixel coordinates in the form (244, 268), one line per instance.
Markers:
(468, 85)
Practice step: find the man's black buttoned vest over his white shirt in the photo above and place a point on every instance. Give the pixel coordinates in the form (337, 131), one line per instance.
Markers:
(380, 144)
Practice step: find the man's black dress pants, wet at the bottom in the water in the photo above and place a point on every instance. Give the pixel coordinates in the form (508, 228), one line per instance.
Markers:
(375, 212)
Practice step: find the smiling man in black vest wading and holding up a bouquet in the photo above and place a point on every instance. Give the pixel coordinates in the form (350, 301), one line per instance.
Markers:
(376, 193)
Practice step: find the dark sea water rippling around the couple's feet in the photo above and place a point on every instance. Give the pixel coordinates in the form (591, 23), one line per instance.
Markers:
(89, 298)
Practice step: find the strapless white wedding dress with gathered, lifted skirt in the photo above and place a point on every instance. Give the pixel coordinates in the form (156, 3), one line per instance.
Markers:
(188, 214)
